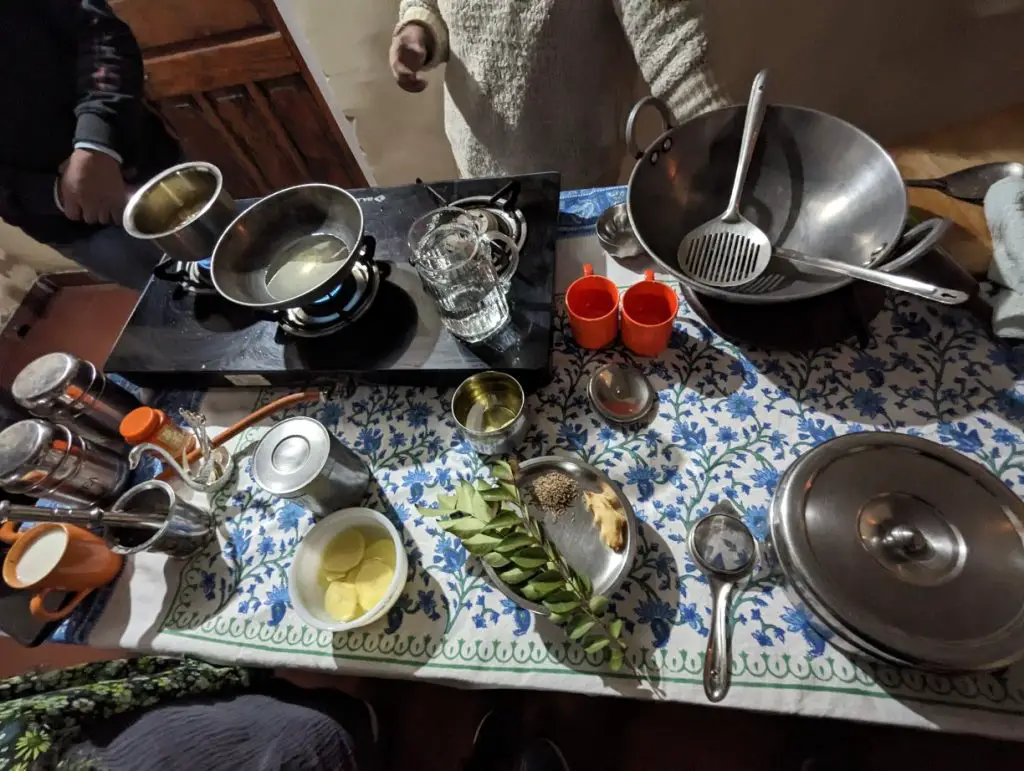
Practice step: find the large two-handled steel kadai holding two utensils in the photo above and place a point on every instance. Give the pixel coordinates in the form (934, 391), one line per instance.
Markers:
(818, 186)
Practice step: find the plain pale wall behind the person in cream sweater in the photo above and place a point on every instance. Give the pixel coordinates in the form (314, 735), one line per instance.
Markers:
(893, 67)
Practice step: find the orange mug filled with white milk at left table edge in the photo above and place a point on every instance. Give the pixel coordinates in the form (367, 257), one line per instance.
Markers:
(63, 558)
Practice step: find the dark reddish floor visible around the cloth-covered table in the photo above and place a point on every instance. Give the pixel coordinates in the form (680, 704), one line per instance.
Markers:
(429, 727)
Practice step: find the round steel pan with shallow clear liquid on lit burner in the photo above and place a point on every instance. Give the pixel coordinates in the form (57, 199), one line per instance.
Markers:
(290, 248)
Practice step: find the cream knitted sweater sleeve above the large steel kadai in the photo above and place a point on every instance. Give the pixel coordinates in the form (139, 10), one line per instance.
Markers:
(669, 44)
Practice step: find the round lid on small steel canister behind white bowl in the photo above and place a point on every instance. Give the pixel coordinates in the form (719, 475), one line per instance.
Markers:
(291, 455)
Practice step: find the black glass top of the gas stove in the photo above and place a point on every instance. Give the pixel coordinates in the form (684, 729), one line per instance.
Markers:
(179, 337)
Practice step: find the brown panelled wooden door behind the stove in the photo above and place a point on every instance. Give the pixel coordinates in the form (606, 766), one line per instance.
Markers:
(228, 80)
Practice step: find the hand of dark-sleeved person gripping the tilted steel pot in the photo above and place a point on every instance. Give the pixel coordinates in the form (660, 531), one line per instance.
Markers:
(92, 188)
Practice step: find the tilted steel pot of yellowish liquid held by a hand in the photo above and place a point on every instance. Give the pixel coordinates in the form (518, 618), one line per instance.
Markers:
(184, 210)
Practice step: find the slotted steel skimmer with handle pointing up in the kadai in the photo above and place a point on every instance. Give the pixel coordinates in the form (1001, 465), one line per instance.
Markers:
(731, 251)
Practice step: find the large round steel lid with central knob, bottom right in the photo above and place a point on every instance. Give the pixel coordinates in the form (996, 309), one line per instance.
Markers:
(907, 549)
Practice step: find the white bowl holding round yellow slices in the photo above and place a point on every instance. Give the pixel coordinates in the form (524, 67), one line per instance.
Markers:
(304, 584)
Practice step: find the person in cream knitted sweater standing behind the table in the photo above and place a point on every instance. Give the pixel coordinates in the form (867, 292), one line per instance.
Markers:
(541, 85)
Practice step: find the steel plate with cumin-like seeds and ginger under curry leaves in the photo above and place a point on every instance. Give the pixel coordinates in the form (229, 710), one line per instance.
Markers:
(574, 532)
